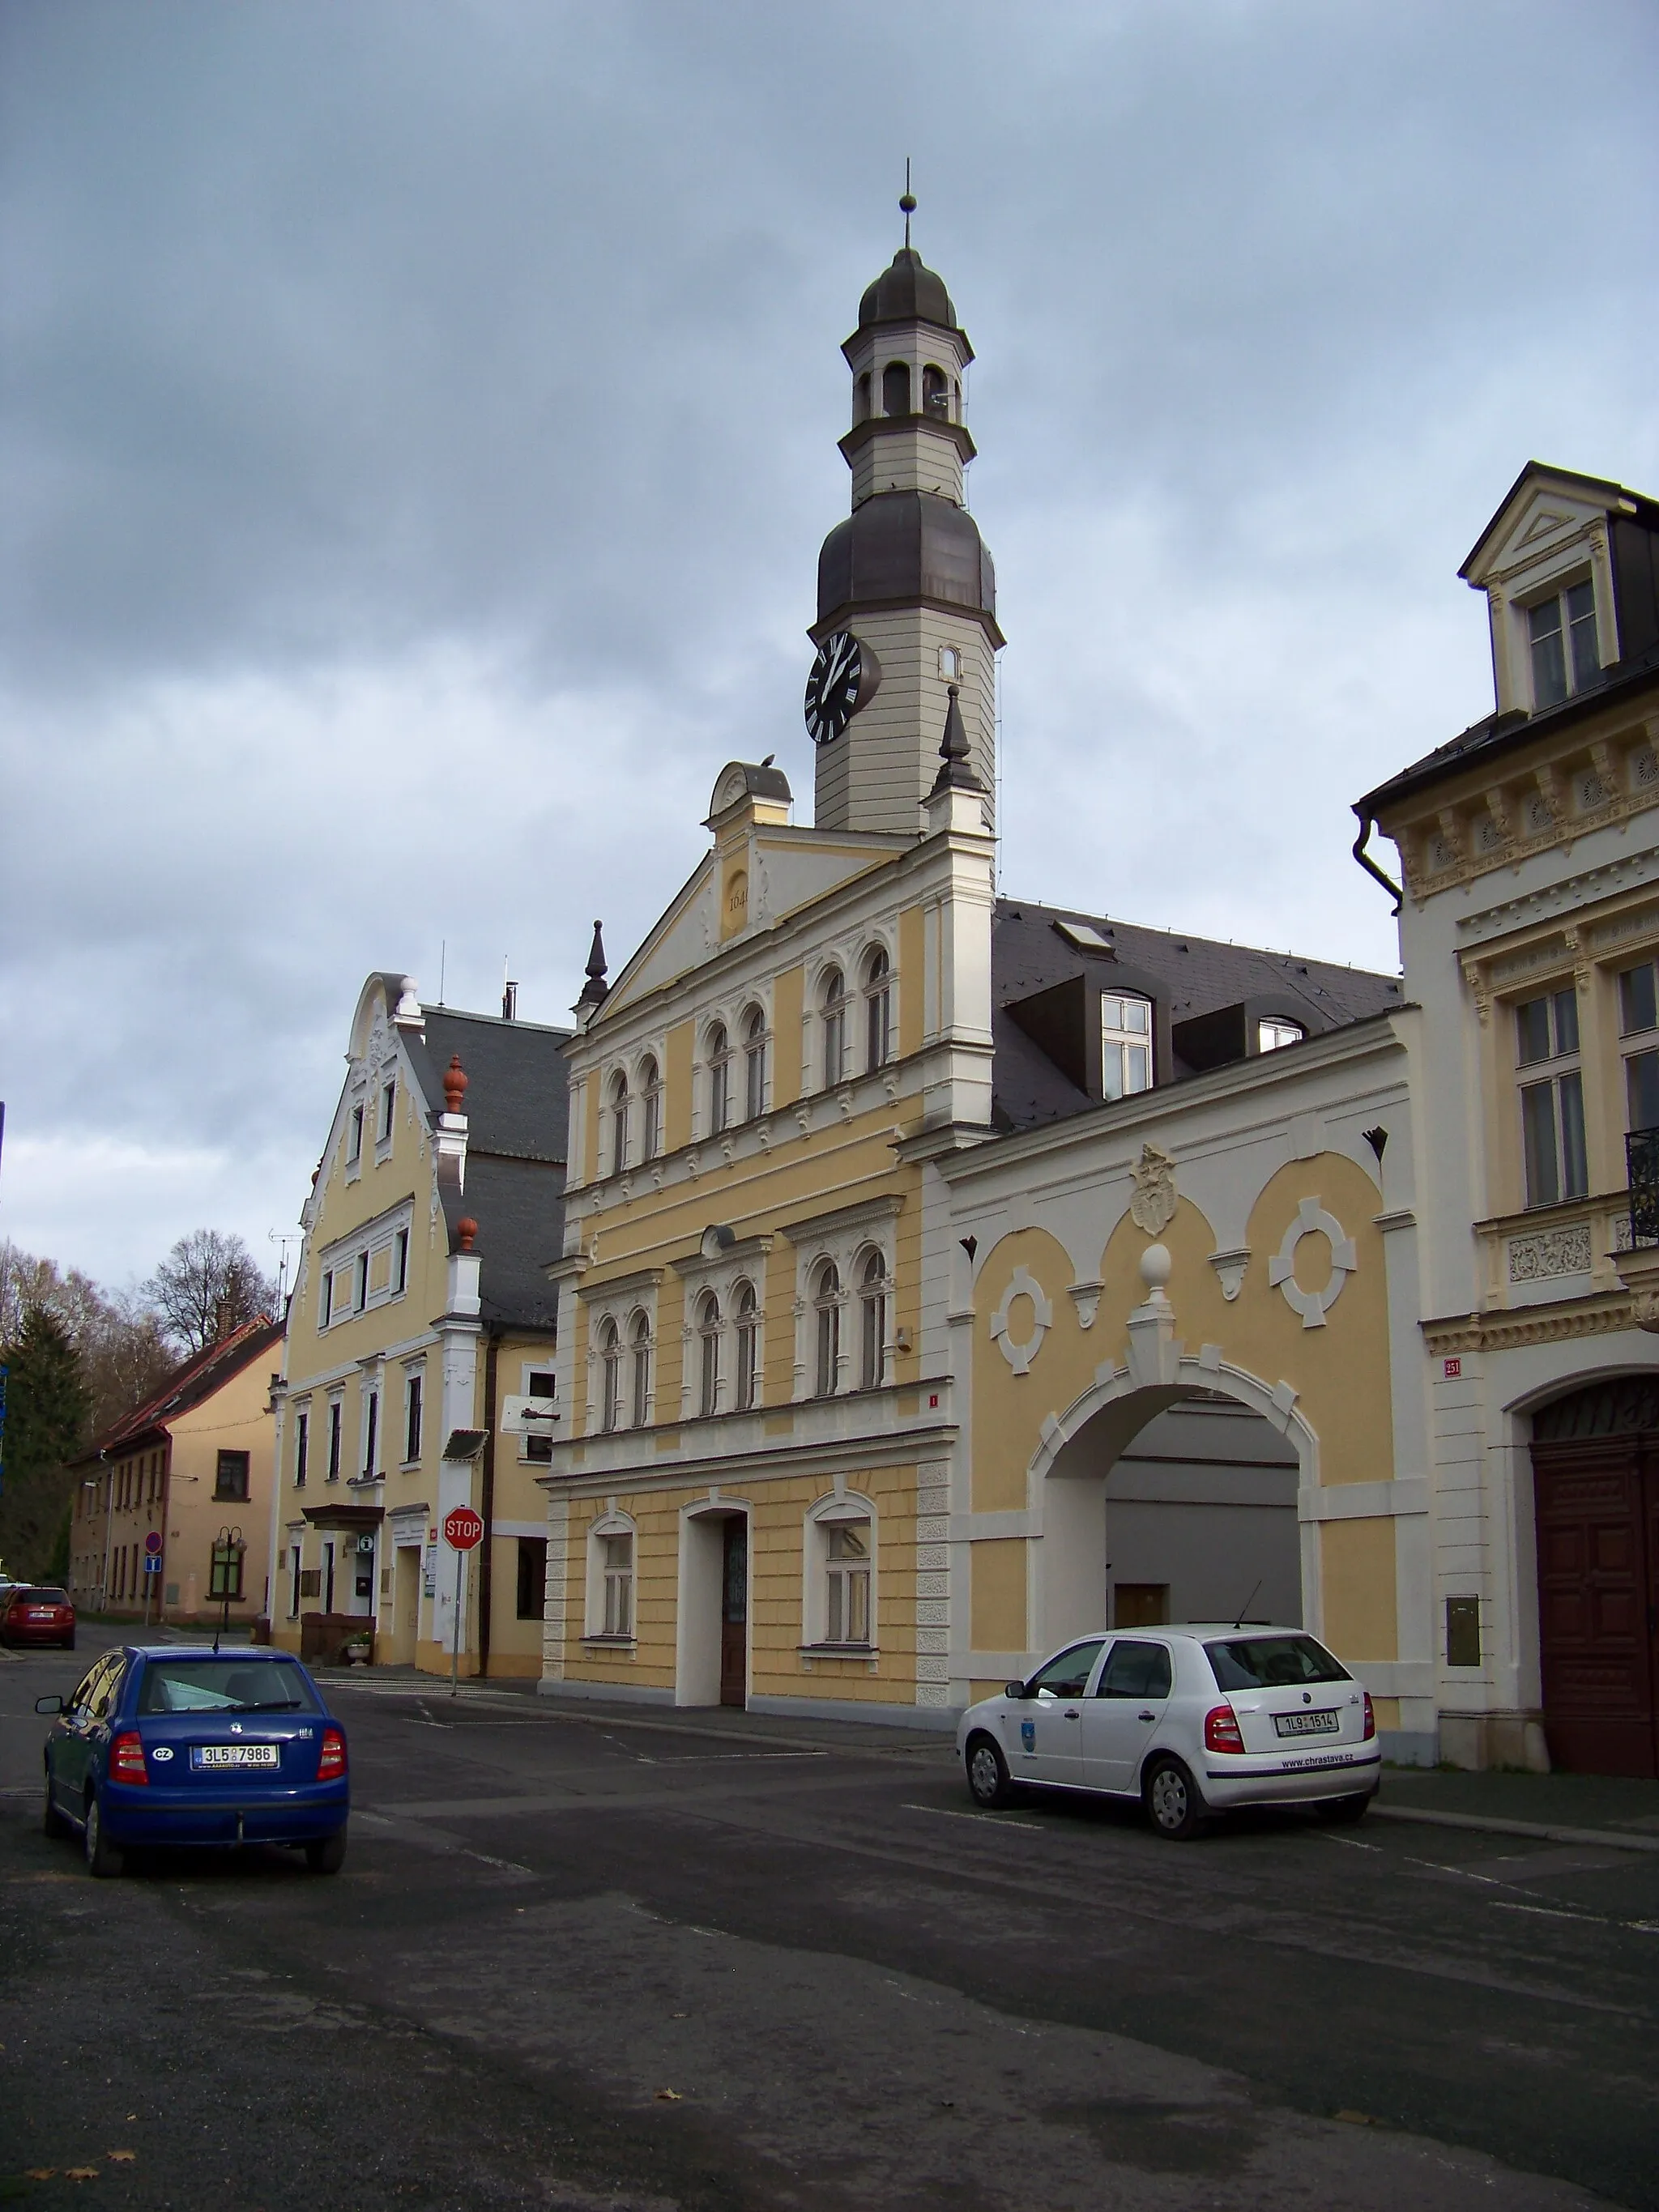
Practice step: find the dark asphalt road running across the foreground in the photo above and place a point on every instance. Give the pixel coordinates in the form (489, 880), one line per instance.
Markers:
(603, 1968)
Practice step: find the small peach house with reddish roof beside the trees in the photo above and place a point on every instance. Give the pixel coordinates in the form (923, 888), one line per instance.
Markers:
(180, 1474)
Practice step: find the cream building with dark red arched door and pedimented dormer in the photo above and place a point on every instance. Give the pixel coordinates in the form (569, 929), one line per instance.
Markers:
(1530, 928)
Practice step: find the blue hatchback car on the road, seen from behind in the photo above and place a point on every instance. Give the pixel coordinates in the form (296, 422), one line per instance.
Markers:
(176, 1746)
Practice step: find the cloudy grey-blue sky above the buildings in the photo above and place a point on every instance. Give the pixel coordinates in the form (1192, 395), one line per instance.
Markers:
(419, 426)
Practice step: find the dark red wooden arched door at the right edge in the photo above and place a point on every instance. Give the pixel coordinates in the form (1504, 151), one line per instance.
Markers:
(1596, 1501)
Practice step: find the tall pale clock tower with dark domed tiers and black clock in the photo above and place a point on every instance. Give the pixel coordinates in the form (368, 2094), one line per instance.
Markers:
(906, 585)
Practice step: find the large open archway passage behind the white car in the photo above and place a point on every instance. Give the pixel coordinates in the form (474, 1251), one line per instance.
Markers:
(1169, 1505)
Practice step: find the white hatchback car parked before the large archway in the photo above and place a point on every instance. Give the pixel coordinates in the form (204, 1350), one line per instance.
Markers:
(1193, 1722)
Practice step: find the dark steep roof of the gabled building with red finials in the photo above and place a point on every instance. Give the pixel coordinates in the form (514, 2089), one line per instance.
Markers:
(519, 1116)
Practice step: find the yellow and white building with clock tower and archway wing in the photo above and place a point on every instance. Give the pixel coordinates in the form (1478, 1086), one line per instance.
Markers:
(886, 1364)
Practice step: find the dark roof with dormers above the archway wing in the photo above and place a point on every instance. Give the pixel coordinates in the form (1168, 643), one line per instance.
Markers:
(1189, 977)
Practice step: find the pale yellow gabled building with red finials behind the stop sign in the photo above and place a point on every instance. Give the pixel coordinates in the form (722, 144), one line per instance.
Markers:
(419, 1313)
